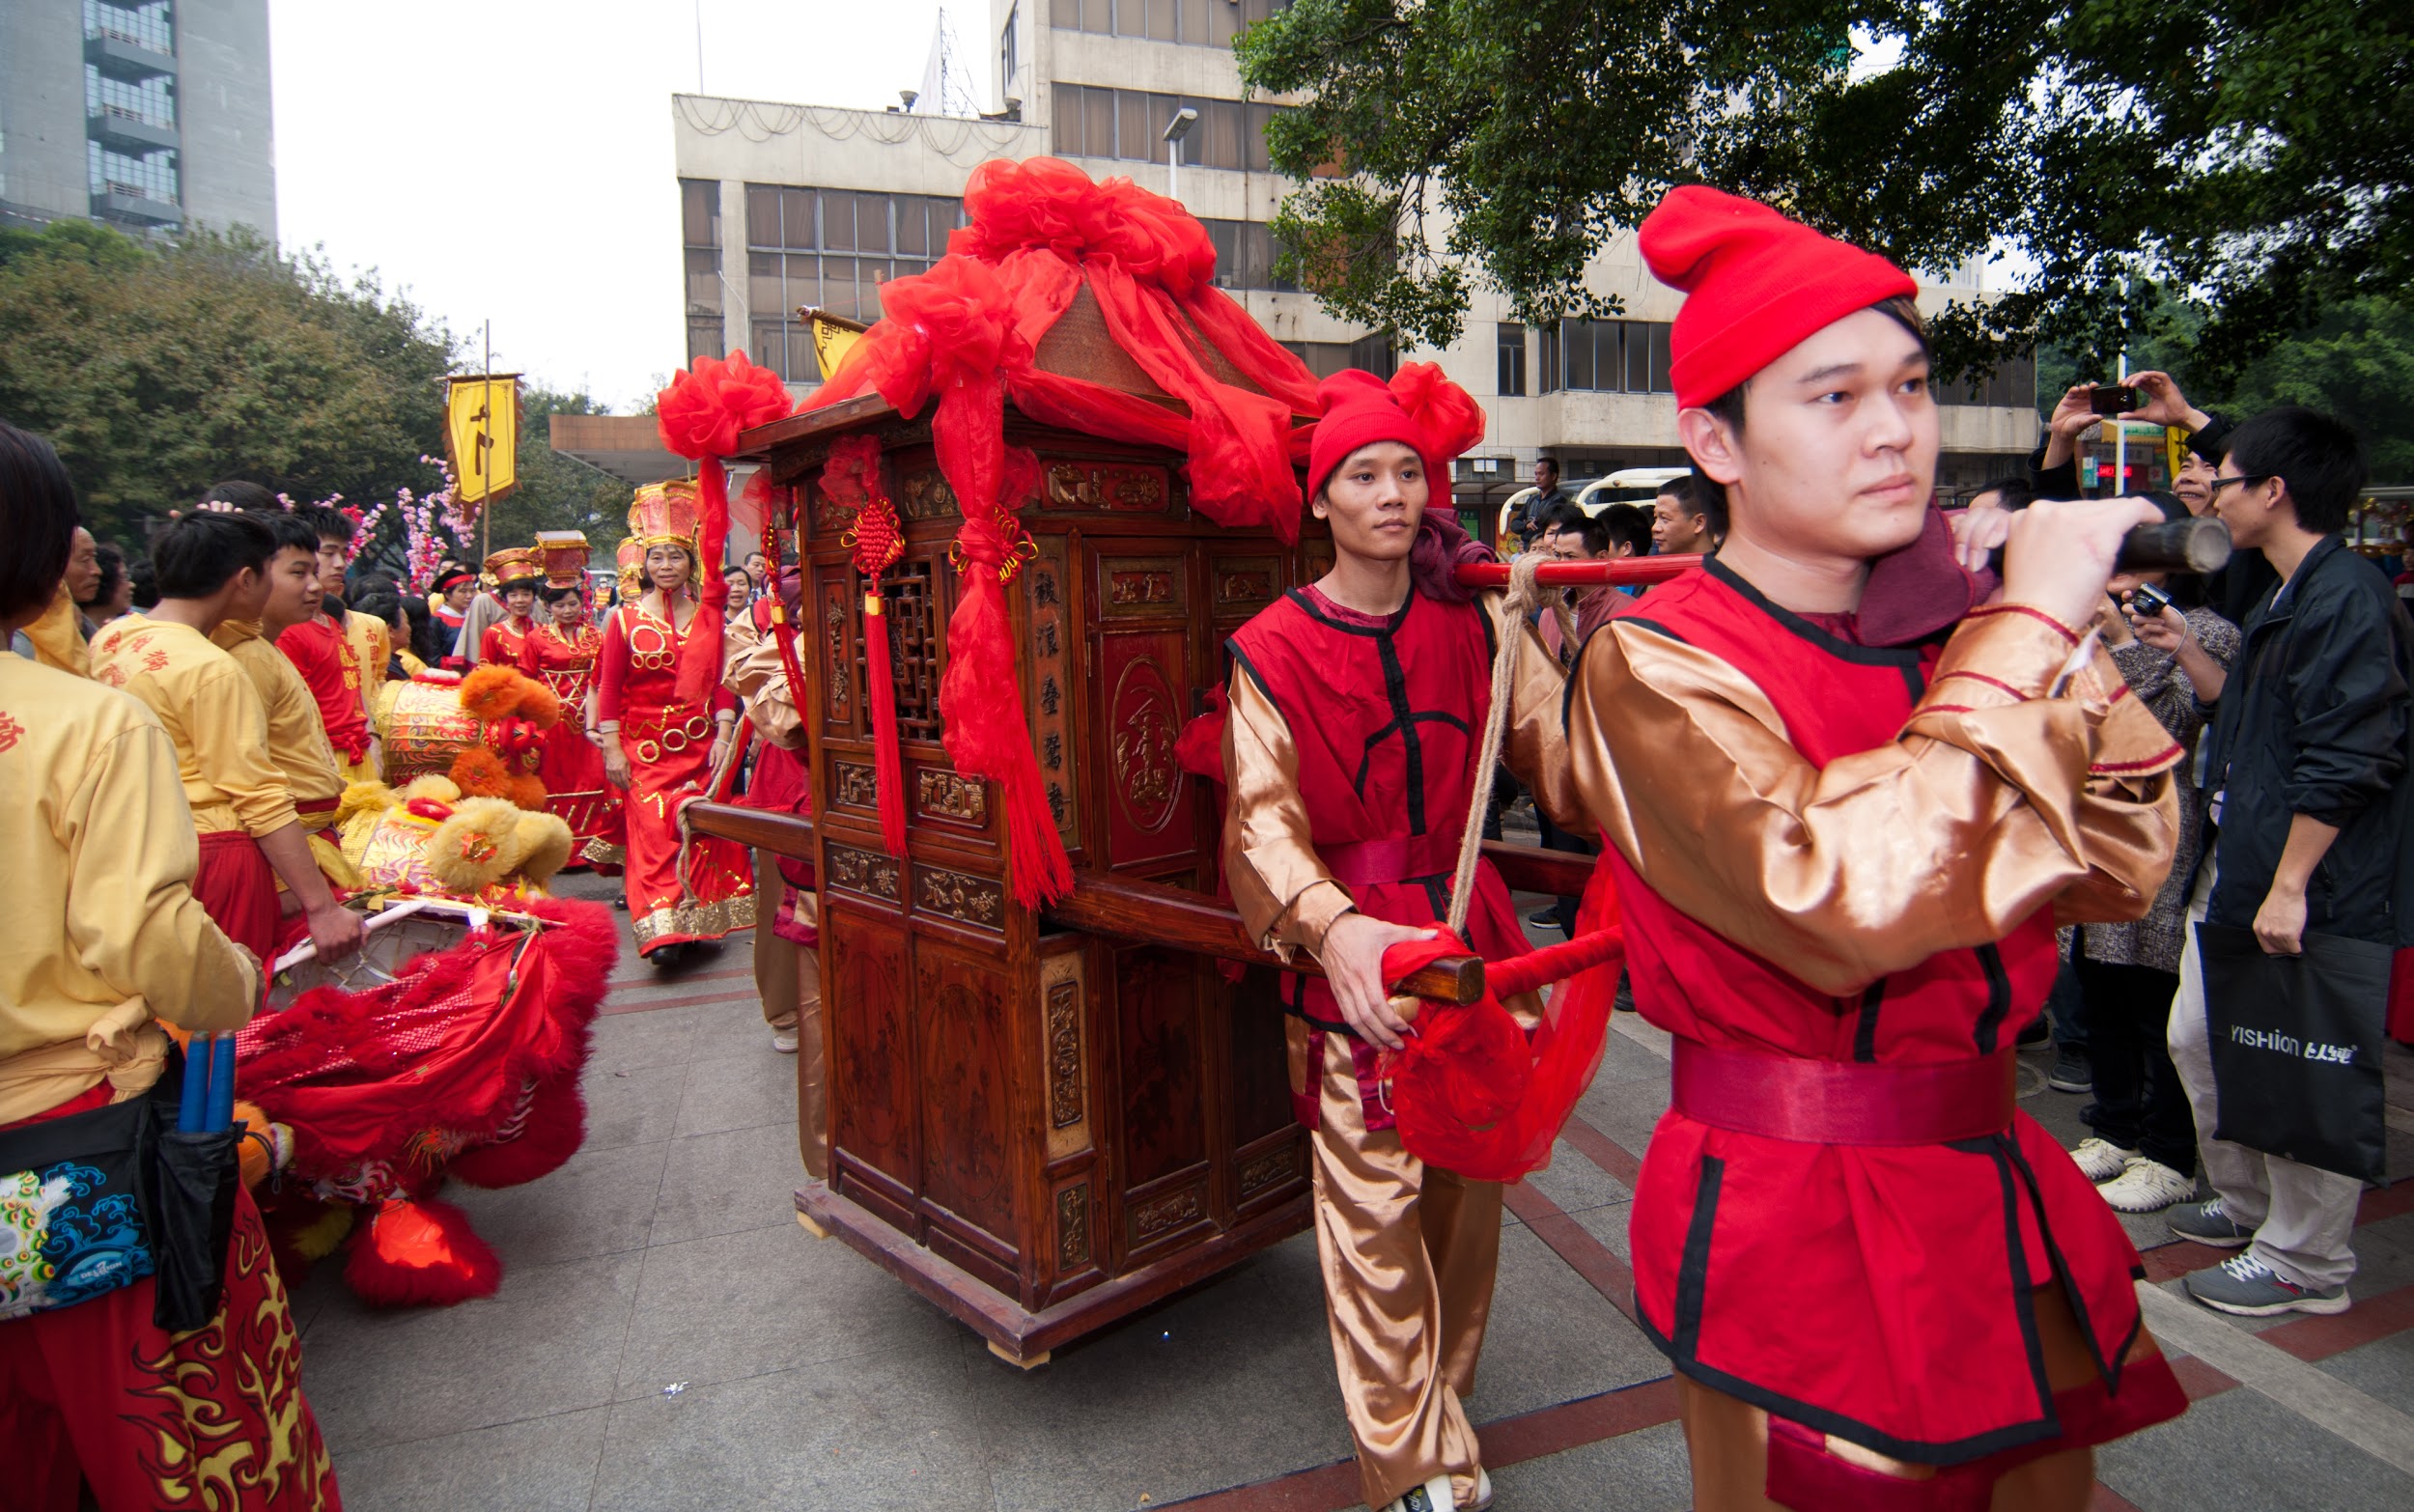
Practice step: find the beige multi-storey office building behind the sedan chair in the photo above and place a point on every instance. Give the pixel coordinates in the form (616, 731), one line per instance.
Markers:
(798, 204)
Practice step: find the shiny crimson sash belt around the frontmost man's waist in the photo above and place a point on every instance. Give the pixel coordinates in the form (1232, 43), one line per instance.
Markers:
(1843, 1103)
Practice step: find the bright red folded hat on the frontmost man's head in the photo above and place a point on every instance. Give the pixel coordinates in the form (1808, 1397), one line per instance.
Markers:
(1756, 286)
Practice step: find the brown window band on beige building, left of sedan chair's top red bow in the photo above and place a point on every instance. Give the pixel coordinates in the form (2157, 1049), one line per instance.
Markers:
(832, 250)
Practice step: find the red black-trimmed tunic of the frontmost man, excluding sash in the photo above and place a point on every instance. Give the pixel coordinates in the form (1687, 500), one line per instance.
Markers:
(1874, 1293)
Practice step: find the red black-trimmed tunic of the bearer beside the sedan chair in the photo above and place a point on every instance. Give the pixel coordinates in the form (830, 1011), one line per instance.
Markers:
(1387, 716)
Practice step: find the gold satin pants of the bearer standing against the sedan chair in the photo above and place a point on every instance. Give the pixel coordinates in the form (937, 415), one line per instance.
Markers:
(1409, 1257)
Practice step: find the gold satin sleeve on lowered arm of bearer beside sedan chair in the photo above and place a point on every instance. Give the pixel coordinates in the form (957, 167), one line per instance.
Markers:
(1281, 888)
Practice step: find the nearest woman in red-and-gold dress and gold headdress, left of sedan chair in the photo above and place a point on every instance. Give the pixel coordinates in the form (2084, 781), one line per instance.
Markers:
(663, 750)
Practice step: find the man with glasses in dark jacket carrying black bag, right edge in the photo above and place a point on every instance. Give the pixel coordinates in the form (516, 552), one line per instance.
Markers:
(2311, 798)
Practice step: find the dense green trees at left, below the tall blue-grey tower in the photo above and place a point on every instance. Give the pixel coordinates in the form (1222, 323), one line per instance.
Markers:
(158, 371)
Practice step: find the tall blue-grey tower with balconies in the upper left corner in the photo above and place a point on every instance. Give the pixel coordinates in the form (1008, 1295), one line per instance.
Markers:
(146, 115)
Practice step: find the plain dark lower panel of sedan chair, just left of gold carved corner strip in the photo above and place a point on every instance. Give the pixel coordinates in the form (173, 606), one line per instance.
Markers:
(967, 1163)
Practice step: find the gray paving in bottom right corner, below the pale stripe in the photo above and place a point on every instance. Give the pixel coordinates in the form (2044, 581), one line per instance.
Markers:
(2246, 1450)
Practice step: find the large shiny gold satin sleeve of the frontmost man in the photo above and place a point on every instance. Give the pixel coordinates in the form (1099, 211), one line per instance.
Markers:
(1993, 803)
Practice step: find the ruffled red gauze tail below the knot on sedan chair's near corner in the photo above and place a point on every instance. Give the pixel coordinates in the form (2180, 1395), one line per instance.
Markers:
(989, 735)
